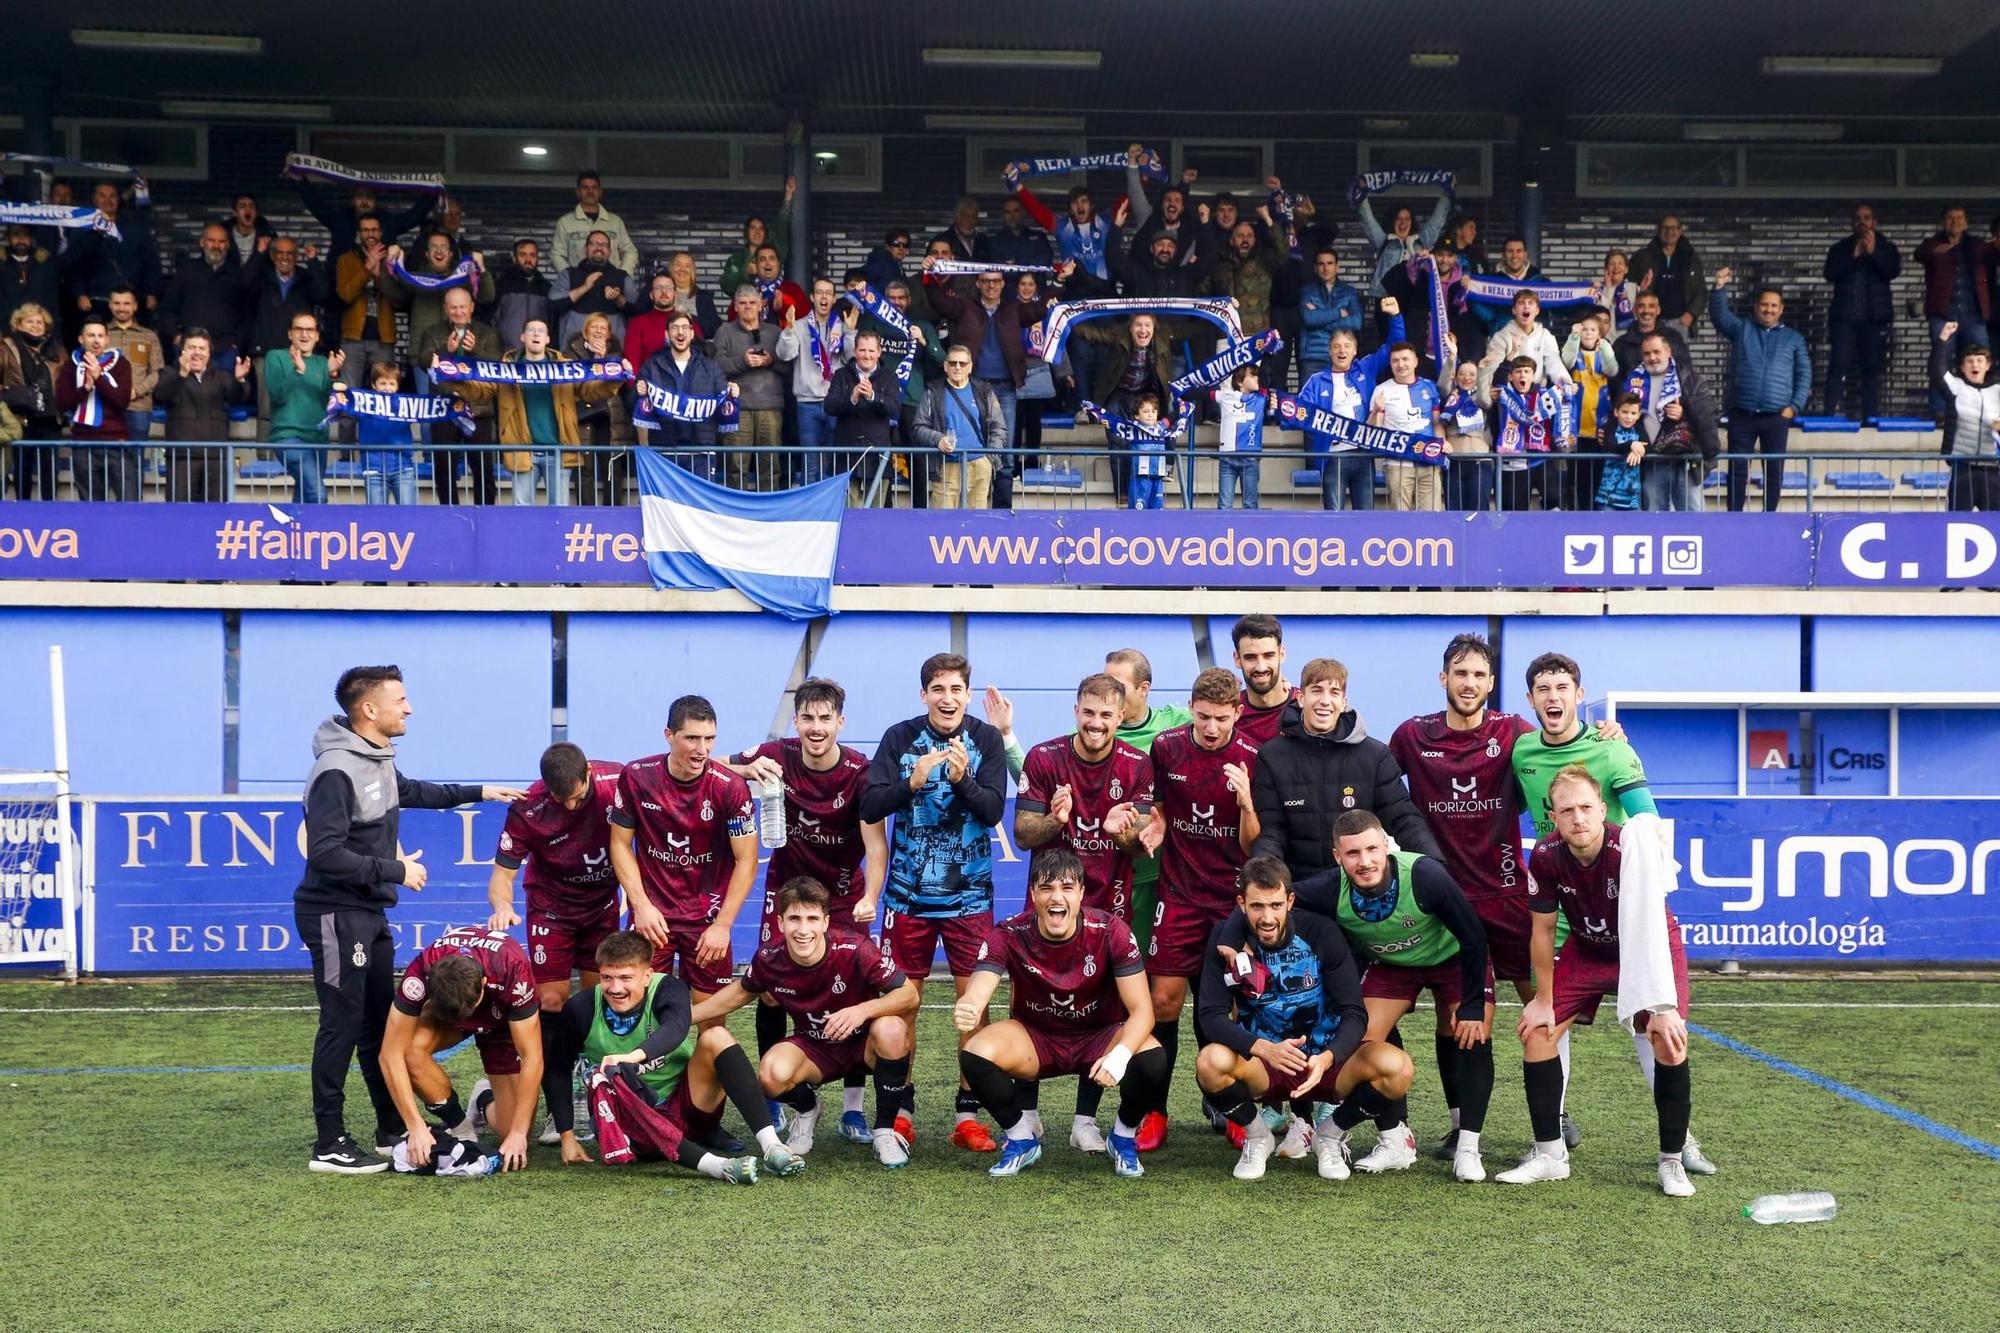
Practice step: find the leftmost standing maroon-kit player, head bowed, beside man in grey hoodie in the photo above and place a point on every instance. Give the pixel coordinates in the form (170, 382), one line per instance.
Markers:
(563, 834)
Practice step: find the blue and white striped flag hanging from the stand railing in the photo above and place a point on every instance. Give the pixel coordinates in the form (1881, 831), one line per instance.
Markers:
(777, 549)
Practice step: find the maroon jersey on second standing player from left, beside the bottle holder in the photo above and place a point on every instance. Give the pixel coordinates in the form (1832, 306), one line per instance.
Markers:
(681, 836)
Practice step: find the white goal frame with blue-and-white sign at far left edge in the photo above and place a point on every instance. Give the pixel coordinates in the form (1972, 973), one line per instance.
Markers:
(39, 850)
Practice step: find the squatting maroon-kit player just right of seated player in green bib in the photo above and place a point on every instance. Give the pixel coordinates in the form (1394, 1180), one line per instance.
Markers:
(851, 1010)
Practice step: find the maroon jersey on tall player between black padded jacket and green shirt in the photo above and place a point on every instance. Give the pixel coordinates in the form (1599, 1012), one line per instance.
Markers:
(1465, 786)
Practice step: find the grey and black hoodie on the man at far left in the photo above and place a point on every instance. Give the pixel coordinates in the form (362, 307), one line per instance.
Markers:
(353, 804)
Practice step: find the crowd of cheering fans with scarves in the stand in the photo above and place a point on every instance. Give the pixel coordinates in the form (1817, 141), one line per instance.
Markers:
(949, 391)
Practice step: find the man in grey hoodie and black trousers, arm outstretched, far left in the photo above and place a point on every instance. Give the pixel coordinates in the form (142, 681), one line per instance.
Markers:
(353, 878)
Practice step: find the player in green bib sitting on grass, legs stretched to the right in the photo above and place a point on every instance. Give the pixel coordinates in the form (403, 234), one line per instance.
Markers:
(659, 1084)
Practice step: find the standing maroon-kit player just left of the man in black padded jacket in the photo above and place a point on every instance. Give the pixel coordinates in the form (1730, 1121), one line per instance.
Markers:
(1207, 824)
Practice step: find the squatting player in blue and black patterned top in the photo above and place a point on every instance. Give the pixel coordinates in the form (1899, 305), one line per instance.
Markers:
(1287, 1022)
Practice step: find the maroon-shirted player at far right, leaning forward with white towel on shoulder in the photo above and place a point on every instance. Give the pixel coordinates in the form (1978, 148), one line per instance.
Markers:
(1579, 872)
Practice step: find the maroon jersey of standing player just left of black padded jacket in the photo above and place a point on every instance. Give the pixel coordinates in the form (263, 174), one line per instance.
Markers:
(1203, 852)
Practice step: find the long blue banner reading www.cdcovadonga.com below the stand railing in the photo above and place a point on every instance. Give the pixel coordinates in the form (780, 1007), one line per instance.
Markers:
(1271, 549)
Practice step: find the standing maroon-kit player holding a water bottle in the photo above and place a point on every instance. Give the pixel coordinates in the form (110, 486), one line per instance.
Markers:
(825, 840)
